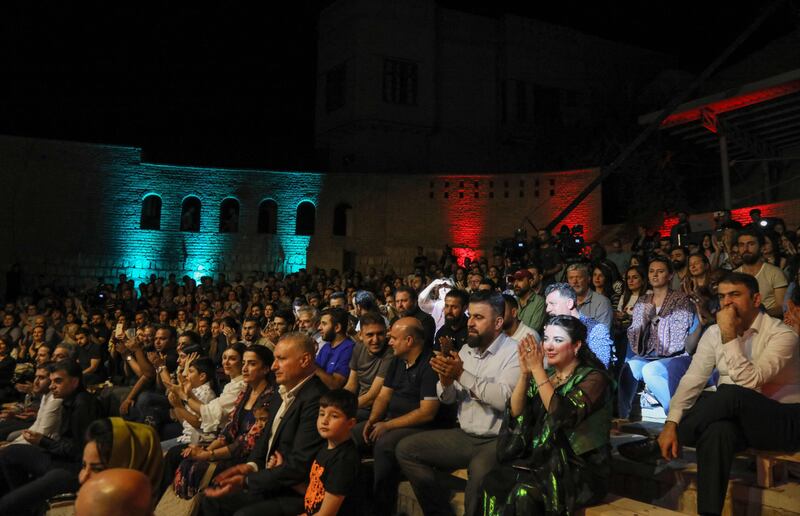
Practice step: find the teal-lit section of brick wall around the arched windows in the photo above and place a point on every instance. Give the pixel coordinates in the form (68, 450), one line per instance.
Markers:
(142, 252)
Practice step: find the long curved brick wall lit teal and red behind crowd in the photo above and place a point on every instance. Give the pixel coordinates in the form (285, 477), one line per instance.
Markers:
(73, 213)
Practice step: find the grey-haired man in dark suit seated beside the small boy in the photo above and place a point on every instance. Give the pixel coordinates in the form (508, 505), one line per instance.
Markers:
(284, 453)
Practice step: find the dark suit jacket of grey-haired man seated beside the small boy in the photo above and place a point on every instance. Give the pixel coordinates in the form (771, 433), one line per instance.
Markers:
(296, 438)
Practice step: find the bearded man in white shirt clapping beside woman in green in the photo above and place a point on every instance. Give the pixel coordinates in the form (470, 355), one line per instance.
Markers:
(479, 380)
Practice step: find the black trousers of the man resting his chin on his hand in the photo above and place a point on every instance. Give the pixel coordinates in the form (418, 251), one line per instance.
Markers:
(726, 422)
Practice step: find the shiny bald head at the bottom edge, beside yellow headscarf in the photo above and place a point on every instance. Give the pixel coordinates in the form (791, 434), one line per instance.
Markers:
(115, 492)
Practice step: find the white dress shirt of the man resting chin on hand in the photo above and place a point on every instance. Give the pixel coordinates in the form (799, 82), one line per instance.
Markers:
(765, 358)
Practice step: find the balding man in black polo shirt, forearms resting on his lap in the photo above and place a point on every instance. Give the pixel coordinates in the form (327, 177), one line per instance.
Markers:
(406, 404)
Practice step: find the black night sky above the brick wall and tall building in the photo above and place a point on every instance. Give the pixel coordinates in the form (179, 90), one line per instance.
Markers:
(229, 86)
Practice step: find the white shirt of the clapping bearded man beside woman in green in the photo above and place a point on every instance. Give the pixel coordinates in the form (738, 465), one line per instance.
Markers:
(485, 386)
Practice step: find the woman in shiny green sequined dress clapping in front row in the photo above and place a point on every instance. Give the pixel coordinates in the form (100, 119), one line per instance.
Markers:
(553, 450)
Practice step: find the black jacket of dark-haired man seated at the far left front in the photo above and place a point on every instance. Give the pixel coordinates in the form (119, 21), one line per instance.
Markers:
(77, 412)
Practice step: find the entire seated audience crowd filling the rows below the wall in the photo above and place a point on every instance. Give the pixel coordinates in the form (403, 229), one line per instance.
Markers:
(265, 393)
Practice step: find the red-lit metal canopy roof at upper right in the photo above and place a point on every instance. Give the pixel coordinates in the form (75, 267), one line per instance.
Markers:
(760, 119)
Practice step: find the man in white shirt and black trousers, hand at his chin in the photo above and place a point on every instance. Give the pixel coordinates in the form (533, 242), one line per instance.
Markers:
(753, 352)
